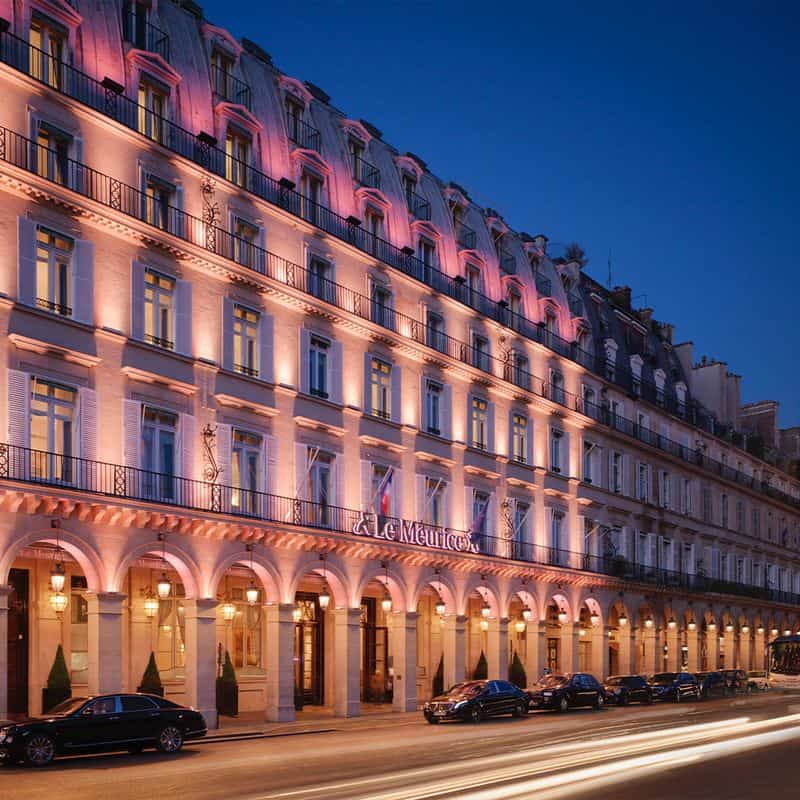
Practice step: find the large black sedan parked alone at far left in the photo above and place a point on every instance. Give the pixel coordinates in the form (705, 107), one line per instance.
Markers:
(100, 724)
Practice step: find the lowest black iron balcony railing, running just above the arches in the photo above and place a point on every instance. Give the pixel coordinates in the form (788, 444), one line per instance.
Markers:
(71, 473)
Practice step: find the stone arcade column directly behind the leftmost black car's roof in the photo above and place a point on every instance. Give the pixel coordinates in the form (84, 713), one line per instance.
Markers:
(105, 641)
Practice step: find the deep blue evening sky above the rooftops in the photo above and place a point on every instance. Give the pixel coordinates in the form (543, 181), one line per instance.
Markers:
(665, 133)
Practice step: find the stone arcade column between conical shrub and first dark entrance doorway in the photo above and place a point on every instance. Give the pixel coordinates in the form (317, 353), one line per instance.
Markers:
(280, 662)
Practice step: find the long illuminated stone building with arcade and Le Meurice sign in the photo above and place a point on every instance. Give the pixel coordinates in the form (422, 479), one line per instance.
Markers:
(253, 358)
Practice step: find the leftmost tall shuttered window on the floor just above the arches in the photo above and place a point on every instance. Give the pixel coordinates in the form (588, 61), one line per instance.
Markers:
(52, 421)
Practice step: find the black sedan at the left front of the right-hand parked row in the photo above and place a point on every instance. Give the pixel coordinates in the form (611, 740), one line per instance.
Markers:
(473, 701)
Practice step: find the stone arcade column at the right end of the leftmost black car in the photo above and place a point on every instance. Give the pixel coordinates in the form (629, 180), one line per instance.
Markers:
(201, 657)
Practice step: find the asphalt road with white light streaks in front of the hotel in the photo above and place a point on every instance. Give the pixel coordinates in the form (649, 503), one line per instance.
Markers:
(740, 749)
